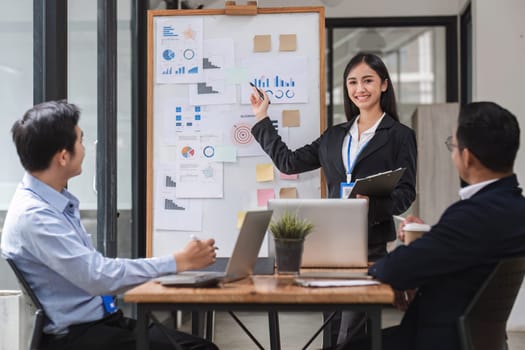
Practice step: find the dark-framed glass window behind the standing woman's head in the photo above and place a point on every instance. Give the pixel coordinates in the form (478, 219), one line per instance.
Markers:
(414, 56)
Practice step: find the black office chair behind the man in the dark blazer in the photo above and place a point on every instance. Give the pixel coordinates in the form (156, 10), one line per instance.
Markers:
(483, 325)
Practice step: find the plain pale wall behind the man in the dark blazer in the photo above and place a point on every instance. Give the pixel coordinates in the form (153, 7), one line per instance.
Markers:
(499, 75)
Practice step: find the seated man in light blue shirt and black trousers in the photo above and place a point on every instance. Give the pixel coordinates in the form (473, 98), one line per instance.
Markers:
(45, 238)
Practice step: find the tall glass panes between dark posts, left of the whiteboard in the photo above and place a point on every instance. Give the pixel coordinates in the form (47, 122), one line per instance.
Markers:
(82, 85)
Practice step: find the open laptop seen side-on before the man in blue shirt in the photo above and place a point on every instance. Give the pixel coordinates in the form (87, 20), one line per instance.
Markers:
(241, 263)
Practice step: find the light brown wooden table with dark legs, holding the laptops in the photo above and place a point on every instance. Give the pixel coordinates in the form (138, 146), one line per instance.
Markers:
(260, 293)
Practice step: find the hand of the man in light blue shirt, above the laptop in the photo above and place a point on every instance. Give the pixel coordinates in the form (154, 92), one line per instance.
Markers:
(195, 255)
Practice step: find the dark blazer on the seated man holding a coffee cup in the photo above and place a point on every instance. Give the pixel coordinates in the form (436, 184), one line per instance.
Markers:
(450, 263)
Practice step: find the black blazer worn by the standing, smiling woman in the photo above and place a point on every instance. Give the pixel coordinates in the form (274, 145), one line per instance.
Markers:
(393, 146)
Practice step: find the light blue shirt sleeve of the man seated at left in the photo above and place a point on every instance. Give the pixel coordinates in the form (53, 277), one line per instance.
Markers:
(55, 243)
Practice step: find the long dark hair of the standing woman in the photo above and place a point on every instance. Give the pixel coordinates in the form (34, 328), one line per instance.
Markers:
(388, 98)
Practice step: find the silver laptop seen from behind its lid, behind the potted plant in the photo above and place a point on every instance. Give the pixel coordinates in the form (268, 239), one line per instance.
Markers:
(340, 234)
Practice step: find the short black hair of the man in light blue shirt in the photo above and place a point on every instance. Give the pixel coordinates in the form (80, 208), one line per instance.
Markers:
(44, 130)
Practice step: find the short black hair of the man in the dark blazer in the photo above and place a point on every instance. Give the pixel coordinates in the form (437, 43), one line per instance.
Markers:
(491, 133)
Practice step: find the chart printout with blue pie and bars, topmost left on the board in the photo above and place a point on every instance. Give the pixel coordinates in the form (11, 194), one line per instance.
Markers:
(178, 56)
